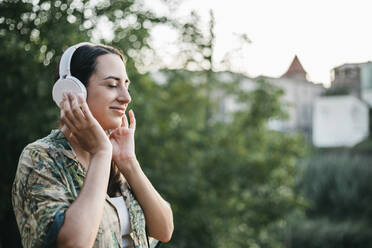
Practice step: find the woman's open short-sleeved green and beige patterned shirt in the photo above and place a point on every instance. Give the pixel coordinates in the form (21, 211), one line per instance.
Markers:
(48, 180)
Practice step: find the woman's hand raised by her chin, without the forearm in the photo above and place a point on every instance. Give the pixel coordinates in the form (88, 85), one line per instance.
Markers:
(122, 140)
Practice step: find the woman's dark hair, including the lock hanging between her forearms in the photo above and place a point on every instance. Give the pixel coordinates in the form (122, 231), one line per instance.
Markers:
(83, 65)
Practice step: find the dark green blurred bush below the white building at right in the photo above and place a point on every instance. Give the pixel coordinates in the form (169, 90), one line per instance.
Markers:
(338, 189)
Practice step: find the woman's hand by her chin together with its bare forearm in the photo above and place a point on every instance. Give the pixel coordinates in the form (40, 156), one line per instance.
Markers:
(158, 214)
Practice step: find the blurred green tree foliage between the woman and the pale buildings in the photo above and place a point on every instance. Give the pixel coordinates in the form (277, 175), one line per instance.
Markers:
(229, 182)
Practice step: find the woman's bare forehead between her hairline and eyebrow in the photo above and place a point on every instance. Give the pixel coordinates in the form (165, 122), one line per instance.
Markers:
(110, 65)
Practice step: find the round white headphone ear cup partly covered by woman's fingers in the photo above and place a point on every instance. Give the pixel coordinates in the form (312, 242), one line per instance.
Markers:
(71, 84)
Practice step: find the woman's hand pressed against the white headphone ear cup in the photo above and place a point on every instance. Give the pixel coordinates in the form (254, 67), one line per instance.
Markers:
(84, 128)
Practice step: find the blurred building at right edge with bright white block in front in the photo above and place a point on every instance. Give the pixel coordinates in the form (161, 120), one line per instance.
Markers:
(342, 117)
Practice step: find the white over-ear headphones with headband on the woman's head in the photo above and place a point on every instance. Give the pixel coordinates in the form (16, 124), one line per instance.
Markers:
(66, 82)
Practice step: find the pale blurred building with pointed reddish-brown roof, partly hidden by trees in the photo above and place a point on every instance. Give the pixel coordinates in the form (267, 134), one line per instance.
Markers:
(298, 99)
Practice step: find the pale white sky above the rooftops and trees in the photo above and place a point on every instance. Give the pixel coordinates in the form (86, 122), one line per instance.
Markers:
(323, 33)
